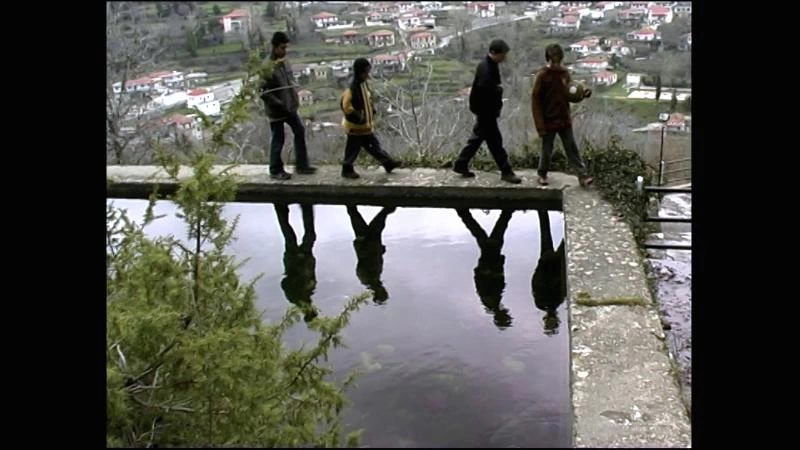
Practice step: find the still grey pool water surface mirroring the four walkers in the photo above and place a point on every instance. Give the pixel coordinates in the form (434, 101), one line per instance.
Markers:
(455, 349)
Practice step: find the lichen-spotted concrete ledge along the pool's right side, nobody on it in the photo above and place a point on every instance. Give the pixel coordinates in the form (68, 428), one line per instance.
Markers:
(624, 387)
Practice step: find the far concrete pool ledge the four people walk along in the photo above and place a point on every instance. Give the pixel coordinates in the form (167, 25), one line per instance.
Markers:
(403, 187)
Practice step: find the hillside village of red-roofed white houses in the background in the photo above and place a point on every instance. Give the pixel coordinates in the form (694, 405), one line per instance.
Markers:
(601, 39)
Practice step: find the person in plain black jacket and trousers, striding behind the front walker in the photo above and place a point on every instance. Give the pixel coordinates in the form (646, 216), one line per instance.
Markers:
(486, 102)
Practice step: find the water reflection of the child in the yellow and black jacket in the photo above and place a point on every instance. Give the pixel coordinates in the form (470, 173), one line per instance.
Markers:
(369, 250)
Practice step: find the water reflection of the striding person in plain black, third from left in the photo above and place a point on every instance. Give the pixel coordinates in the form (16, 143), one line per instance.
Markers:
(490, 280)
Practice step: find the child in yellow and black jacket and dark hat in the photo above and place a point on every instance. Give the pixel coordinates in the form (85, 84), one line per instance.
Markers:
(356, 103)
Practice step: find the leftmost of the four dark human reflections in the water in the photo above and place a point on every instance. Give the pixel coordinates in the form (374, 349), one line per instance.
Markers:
(299, 264)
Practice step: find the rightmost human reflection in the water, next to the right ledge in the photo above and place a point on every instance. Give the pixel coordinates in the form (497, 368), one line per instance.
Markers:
(548, 284)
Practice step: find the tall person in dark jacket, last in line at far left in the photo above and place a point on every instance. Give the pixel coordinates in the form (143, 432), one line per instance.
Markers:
(281, 102)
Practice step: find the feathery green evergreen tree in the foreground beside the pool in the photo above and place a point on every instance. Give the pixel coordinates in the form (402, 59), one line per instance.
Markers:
(189, 360)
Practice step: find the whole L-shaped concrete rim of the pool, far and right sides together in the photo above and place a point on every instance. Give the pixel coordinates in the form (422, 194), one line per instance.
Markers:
(623, 386)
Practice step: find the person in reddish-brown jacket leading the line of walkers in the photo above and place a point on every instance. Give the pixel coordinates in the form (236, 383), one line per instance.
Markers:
(551, 114)
